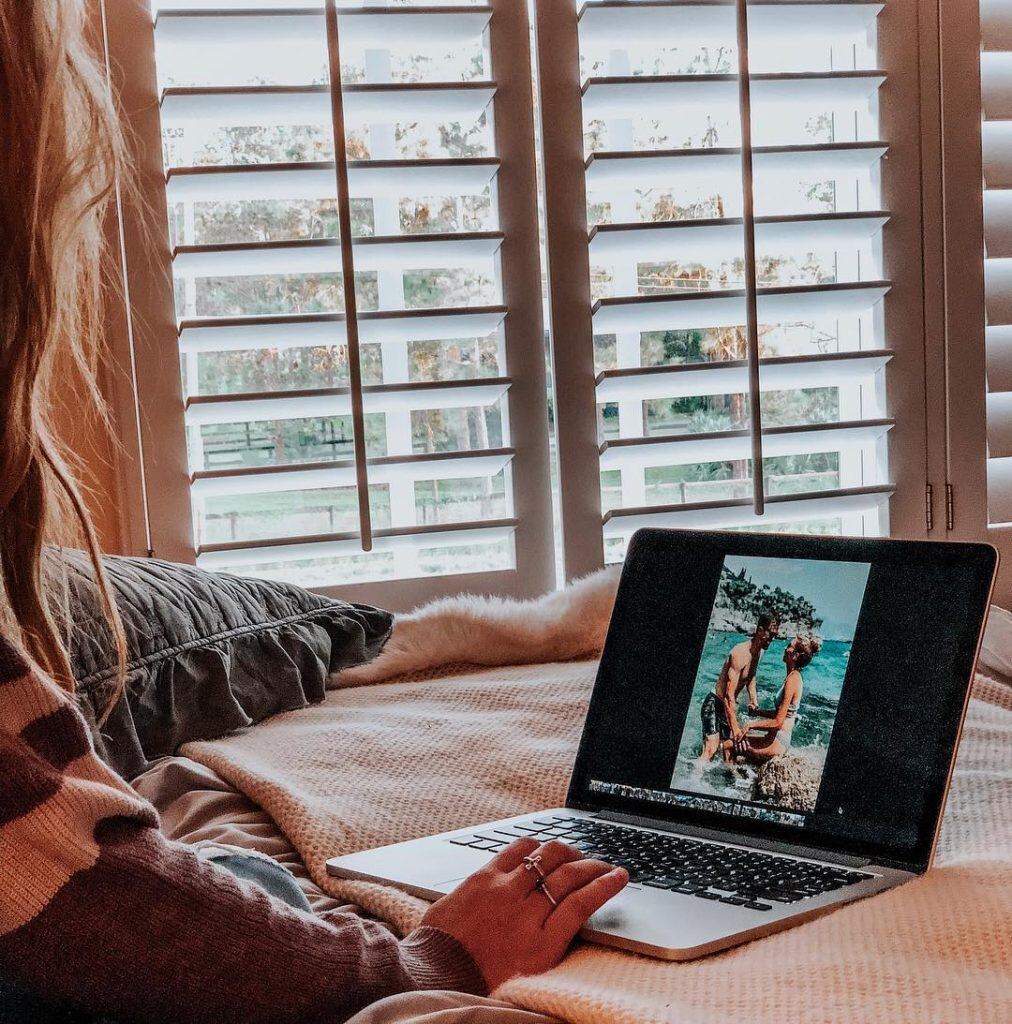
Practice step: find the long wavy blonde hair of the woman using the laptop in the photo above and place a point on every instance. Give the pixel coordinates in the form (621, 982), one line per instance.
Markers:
(61, 157)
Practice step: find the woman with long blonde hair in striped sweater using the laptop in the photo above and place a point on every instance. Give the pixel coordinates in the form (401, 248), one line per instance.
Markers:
(98, 910)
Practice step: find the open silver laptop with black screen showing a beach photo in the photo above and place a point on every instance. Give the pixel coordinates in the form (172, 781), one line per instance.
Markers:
(771, 737)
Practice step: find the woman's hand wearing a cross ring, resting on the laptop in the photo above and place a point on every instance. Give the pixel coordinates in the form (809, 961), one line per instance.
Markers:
(509, 925)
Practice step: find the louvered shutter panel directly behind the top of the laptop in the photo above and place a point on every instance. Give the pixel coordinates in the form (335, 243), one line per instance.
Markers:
(665, 186)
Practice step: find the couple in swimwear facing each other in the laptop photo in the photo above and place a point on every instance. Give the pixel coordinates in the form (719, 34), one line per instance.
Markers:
(766, 736)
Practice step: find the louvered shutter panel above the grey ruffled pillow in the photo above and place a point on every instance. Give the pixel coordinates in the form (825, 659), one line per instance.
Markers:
(438, 123)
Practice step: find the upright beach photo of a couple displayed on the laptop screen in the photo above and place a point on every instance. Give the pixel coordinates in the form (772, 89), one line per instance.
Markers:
(770, 681)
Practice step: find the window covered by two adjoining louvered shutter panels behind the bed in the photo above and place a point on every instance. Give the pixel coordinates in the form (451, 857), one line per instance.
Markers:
(733, 215)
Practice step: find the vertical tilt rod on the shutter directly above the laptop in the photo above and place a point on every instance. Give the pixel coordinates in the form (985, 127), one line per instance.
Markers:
(751, 284)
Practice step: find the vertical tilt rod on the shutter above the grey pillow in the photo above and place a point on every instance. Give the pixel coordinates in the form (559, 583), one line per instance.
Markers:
(348, 276)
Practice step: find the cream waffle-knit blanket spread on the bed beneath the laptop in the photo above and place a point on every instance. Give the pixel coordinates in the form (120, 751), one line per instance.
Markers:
(390, 762)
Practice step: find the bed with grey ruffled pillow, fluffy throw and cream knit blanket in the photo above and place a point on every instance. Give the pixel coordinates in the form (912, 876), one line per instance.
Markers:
(322, 755)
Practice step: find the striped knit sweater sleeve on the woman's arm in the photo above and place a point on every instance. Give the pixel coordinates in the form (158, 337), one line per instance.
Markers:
(100, 910)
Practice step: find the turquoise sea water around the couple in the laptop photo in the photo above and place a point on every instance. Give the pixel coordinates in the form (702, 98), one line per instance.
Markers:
(823, 682)
